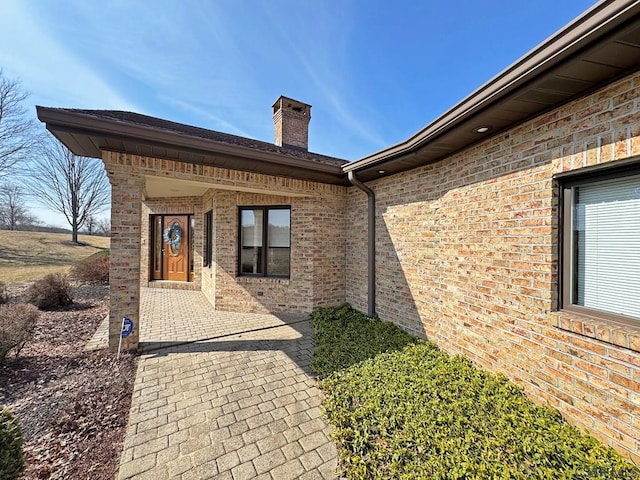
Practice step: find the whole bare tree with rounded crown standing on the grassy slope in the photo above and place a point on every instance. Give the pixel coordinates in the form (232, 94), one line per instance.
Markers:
(74, 186)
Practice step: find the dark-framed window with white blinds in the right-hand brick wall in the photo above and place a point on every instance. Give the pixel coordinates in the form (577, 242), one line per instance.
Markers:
(601, 245)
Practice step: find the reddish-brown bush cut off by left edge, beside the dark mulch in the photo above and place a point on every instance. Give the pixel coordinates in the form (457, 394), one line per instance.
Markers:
(17, 327)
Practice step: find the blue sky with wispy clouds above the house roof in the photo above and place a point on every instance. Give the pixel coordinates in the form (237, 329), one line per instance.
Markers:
(375, 72)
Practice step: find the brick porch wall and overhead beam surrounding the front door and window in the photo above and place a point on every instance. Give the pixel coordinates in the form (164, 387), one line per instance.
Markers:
(317, 234)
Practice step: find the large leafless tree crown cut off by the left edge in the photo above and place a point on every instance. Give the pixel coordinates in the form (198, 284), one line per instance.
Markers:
(18, 132)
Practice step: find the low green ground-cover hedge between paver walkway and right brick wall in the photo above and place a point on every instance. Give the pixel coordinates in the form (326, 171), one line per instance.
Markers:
(416, 412)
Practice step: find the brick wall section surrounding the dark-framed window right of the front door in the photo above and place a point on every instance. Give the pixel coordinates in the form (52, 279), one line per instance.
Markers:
(317, 256)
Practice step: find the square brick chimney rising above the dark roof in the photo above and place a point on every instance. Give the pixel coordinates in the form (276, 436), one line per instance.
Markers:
(291, 121)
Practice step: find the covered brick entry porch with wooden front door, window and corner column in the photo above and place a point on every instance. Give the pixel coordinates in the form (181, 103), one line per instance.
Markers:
(210, 202)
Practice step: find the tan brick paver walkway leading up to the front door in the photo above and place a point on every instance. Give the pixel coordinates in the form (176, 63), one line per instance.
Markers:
(242, 405)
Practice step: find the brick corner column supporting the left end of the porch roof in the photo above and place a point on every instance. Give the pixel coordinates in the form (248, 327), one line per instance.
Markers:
(124, 267)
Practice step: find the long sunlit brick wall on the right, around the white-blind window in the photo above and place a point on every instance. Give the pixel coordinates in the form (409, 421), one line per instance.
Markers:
(467, 256)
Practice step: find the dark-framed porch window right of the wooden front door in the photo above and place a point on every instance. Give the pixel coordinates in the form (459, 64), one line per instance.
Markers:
(265, 241)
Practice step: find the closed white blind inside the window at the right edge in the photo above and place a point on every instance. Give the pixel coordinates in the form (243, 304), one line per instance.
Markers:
(606, 228)
